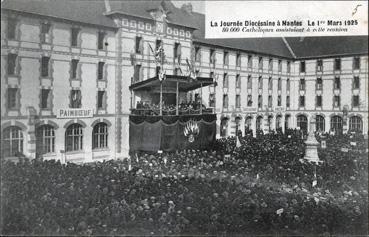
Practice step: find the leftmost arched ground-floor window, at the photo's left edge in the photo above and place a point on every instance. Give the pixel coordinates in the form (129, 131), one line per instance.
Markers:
(12, 141)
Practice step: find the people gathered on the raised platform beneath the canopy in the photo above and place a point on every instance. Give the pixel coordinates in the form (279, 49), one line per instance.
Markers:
(146, 108)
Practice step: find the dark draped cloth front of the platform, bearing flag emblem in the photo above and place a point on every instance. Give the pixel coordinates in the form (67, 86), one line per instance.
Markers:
(153, 133)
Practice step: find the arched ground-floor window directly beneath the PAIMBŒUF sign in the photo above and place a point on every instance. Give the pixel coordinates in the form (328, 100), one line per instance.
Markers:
(74, 137)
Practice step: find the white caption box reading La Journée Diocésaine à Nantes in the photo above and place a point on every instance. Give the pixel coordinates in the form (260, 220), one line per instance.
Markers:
(251, 19)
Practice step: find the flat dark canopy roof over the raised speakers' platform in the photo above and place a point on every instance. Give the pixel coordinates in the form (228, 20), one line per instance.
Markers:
(185, 83)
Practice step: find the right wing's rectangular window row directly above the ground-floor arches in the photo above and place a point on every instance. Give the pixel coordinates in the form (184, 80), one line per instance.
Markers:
(318, 101)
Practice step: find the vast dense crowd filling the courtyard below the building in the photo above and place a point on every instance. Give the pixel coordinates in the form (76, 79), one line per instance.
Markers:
(262, 186)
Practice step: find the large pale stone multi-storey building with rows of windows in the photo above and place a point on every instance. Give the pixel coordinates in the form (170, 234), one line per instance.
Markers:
(67, 68)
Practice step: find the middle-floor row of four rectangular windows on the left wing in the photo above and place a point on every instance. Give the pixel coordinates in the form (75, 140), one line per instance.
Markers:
(12, 63)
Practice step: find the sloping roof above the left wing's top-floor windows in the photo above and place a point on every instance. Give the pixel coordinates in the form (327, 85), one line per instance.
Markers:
(87, 11)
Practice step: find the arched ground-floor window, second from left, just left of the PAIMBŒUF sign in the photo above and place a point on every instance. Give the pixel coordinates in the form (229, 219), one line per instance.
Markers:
(45, 139)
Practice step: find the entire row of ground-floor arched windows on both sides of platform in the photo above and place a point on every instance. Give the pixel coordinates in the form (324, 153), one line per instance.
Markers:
(12, 139)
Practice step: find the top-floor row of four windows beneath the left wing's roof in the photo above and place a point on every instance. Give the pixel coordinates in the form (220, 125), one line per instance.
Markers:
(45, 36)
